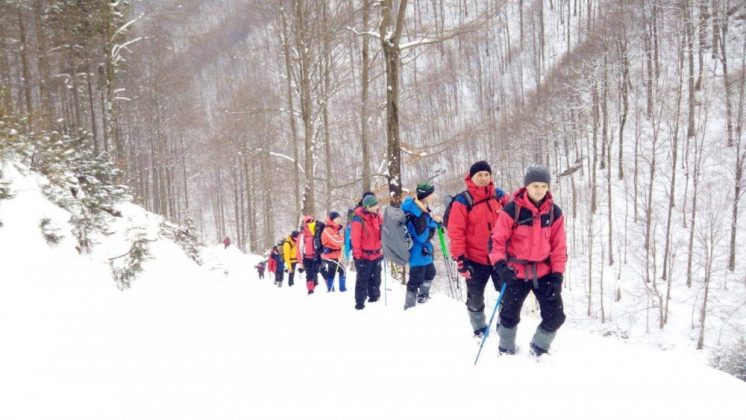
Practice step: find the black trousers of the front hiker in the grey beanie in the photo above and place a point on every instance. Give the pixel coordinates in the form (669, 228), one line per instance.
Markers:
(548, 294)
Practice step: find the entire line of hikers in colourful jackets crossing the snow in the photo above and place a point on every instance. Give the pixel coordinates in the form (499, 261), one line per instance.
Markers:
(518, 240)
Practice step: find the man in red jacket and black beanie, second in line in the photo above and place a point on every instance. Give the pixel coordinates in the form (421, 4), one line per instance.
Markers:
(469, 233)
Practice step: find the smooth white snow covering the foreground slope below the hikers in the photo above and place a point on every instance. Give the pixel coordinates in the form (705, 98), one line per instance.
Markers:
(215, 342)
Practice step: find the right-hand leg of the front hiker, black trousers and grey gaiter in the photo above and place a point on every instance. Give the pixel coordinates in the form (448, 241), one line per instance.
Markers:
(549, 296)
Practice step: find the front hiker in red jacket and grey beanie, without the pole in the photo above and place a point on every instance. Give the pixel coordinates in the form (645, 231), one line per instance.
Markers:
(529, 252)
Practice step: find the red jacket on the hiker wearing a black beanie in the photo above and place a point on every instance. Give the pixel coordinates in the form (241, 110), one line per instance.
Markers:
(469, 231)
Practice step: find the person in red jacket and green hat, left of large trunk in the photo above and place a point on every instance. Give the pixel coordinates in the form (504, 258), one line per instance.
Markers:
(366, 250)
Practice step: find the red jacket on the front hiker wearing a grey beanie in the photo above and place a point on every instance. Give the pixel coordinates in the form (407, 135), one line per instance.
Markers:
(533, 239)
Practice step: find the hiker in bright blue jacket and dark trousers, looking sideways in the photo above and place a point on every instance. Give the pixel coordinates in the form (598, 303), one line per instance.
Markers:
(421, 225)
